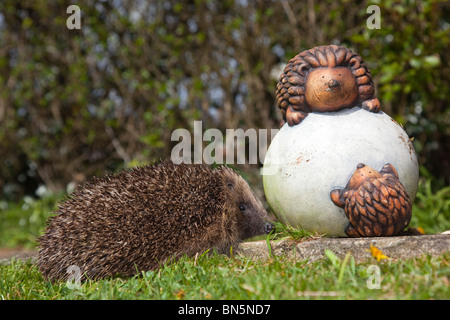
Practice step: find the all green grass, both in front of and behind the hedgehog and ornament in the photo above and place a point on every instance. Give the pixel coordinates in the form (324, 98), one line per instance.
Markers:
(220, 277)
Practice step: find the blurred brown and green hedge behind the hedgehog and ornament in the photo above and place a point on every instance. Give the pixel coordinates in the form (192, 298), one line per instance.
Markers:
(77, 103)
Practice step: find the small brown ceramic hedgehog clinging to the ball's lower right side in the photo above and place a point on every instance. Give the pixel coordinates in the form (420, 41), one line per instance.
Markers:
(376, 203)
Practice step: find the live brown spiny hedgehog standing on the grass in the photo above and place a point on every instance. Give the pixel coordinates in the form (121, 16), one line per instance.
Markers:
(140, 218)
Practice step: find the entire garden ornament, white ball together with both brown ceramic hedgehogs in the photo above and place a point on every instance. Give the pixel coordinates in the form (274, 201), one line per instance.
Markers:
(334, 125)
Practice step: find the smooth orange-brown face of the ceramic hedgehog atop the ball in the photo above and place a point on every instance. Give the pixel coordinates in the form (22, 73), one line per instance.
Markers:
(330, 89)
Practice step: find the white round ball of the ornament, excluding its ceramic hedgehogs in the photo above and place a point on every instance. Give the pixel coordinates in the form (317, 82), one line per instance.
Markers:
(305, 162)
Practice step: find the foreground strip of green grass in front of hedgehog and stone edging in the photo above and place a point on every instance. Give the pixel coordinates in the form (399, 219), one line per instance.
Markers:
(221, 277)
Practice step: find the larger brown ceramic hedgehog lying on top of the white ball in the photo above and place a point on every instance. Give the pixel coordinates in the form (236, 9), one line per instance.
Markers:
(324, 79)
